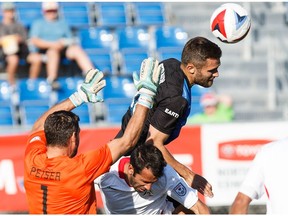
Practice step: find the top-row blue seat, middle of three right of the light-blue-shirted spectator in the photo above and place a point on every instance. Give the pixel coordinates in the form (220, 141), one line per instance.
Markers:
(112, 14)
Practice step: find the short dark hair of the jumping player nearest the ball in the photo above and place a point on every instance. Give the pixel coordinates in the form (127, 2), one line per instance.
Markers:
(197, 50)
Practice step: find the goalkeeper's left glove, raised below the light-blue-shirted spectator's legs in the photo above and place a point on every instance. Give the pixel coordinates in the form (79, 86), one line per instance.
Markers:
(88, 90)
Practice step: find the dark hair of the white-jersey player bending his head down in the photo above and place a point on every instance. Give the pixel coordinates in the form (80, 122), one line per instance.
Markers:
(148, 156)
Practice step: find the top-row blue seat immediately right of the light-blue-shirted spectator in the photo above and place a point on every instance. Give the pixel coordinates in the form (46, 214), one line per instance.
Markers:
(76, 14)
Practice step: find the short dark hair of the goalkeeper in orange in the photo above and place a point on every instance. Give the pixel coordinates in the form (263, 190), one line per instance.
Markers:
(59, 127)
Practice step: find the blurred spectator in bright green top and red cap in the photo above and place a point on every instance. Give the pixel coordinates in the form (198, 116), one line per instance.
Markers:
(216, 109)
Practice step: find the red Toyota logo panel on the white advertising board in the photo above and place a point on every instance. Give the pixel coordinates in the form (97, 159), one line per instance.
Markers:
(240, 150)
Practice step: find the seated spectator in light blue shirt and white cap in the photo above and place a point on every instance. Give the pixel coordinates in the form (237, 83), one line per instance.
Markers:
(53, 37)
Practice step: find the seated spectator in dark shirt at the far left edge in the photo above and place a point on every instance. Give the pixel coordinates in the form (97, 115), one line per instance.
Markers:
(13, 38)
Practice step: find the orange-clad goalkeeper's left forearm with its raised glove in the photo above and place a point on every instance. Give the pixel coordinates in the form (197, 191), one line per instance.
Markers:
(87, 92)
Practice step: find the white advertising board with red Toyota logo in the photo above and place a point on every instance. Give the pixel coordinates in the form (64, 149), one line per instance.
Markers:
(227, 152)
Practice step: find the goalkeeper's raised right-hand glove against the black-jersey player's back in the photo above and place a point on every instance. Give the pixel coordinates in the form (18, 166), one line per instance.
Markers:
(148, 82)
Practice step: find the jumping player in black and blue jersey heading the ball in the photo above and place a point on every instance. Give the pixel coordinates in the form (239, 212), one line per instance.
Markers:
(198, 66)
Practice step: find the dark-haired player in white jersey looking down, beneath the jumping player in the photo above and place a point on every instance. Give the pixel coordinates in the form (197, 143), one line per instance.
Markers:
(140, 184)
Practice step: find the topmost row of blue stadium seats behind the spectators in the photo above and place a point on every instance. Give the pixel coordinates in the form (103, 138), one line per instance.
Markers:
(112, 14)
